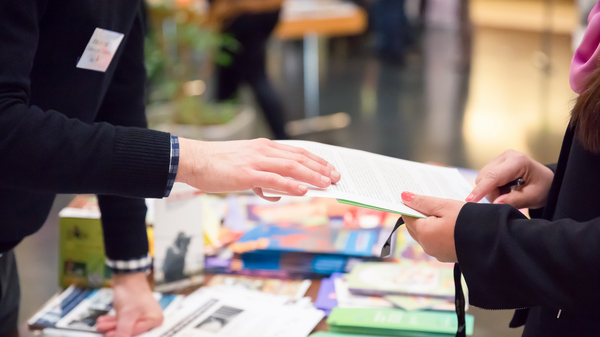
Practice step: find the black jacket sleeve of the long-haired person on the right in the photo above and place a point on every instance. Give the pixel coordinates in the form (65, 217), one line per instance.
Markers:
(510, 262)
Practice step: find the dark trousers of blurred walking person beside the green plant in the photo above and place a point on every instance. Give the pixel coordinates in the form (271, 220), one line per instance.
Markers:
(248, 66)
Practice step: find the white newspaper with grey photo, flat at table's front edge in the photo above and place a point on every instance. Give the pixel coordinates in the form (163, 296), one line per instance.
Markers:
(233, 311)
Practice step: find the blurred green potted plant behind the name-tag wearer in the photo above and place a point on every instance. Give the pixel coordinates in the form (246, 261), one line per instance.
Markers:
(179, 51)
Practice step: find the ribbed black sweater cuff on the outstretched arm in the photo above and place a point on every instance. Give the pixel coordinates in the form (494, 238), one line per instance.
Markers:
(141, 162)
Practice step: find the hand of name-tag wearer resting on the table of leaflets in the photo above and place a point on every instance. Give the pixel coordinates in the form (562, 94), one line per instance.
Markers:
(137, 310)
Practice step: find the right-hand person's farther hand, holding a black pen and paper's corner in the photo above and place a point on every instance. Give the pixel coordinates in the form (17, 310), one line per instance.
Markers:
(507, 167)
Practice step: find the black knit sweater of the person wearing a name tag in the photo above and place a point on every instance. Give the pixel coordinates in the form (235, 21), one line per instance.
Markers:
(70, 130)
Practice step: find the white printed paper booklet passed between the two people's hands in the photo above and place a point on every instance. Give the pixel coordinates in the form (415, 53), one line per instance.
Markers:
(375, 181)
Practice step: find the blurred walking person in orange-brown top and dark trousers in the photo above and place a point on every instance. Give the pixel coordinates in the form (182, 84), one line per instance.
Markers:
(251, 23)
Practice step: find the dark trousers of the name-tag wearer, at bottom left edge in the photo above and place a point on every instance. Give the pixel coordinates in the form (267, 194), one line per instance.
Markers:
(10, 294)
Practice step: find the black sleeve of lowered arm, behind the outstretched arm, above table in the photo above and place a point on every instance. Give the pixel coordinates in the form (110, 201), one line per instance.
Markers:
(124, 219)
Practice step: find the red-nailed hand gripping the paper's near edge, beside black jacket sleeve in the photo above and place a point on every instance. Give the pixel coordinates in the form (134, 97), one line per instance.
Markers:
(436, 232)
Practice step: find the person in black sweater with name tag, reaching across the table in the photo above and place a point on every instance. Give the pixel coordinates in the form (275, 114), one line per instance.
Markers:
(72, 82)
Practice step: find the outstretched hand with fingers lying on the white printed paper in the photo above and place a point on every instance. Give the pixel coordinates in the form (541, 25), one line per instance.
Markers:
(251, 164)
